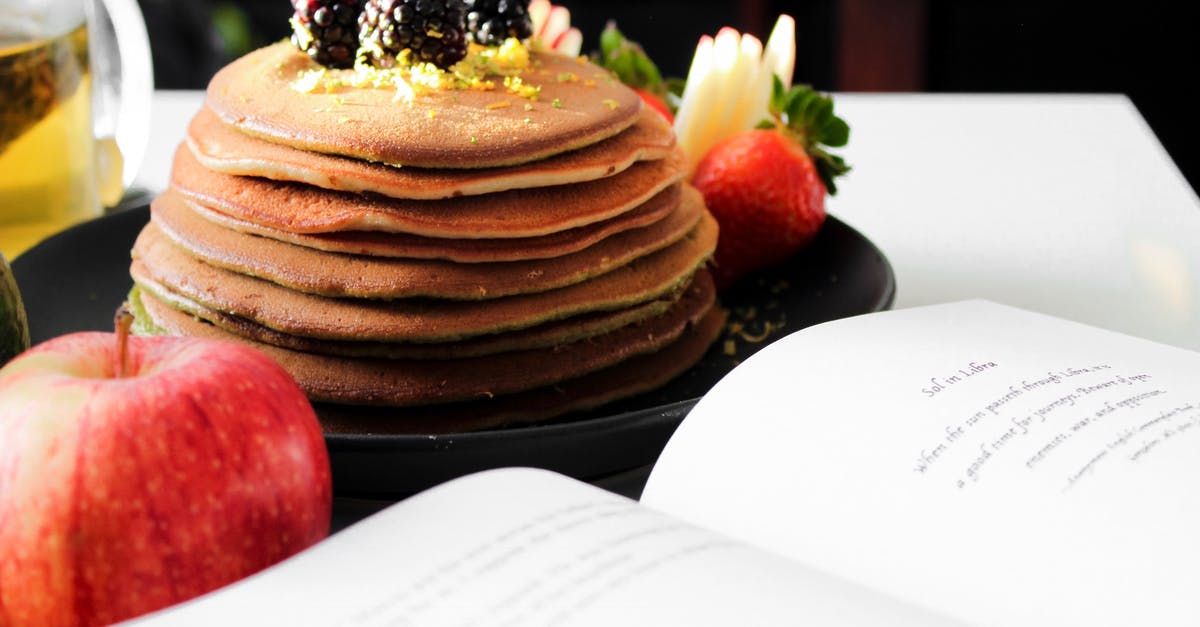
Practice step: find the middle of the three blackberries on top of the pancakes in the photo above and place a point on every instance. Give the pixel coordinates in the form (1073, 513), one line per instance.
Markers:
(434, 29)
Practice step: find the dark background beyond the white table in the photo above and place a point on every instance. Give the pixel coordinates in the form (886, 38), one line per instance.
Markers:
(1148, 51)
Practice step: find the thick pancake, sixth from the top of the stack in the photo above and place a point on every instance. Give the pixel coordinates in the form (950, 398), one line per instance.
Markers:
(161, 267)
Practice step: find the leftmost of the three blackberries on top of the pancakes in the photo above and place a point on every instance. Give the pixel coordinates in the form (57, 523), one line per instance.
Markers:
(326, 31)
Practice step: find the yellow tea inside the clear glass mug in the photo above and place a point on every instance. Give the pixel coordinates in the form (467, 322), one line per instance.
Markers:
(47, 151)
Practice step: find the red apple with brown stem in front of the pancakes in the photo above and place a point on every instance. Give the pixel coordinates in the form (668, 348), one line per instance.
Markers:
(130, 485)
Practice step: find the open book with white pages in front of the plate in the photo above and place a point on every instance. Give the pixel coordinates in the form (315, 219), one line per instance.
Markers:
(957, 464)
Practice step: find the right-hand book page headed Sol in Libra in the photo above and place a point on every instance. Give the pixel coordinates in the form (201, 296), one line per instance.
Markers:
(1001, 467)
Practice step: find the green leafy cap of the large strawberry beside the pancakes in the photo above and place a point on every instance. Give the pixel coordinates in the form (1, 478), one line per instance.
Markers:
(808, 118)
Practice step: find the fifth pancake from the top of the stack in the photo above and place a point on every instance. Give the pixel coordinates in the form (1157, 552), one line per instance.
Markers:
(361, 277)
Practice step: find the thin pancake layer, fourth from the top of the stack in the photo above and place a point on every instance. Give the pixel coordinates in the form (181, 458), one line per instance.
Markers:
(379, 244)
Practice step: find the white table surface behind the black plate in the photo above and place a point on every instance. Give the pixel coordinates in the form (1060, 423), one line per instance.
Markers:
(1066, 205)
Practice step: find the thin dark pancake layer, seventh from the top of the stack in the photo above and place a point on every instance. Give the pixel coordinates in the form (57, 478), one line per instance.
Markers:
(542, 337)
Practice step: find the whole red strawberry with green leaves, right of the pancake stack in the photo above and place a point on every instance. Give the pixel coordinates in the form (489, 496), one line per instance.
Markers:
(766, 188)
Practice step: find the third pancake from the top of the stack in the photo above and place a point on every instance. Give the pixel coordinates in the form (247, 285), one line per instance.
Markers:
(301, 208)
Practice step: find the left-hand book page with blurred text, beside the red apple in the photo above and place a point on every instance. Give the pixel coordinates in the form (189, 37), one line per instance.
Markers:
(527, 547)
